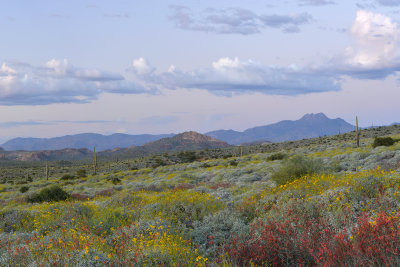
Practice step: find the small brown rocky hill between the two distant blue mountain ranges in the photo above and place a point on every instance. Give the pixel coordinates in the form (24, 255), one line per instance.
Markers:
(184, 141)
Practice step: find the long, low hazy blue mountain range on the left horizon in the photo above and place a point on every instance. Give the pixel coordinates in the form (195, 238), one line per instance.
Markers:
(86, 140)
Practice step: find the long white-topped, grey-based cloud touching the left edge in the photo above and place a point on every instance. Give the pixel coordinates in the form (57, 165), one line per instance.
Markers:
(57, 81)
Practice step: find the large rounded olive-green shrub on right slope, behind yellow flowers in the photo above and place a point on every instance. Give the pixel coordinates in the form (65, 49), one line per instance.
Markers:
(296, 167)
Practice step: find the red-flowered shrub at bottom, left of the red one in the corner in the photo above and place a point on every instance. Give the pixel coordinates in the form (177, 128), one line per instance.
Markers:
(287, 243)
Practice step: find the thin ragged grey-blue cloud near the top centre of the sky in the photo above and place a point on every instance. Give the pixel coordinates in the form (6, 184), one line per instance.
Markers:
(235, 20)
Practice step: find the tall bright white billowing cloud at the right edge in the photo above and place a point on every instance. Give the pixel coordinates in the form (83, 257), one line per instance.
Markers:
(375, 52)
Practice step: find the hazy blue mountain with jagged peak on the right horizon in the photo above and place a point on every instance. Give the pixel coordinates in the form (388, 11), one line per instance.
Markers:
(309, 126)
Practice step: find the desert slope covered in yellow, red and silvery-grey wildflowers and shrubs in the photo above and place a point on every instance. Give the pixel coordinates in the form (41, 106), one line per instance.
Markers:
(323, 204)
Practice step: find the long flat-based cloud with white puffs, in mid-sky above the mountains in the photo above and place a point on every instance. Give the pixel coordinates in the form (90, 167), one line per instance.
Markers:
(228, 76)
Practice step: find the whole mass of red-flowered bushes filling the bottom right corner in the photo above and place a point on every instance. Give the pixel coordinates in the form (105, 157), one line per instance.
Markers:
(314, 242)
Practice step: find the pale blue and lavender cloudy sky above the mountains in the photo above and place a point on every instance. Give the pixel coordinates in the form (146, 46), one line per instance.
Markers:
(77, 66)
